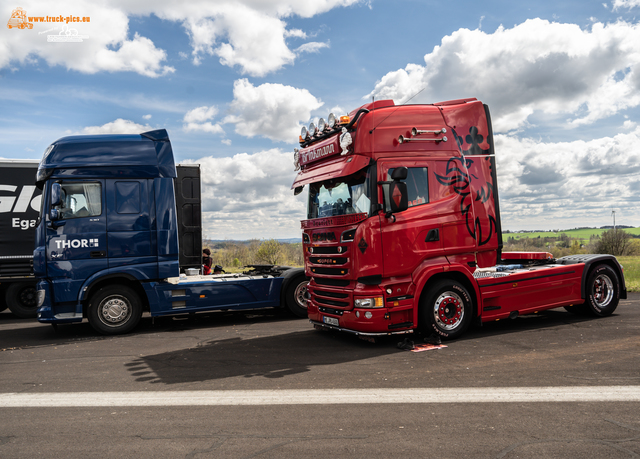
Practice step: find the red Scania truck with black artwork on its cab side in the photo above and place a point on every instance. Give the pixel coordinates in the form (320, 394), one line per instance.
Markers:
(403, 229)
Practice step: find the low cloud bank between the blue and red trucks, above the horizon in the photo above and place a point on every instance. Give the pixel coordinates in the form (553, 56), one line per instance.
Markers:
(249, 194)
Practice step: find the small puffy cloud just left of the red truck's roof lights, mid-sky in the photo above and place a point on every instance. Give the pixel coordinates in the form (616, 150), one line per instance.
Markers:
(270, 110)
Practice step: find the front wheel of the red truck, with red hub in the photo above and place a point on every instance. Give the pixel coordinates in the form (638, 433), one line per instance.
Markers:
(446, 309)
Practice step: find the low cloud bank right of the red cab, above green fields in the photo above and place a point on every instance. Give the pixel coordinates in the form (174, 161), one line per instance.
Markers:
(546, 185)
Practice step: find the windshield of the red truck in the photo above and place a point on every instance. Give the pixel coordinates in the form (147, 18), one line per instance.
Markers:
(340, 196)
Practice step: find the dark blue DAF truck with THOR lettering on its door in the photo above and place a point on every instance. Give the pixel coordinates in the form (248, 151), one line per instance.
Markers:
(118, 231)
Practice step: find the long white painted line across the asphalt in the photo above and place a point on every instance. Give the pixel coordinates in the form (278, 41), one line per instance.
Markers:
(323, 396)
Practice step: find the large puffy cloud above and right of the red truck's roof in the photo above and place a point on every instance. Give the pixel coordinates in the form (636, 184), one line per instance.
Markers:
(558, 69)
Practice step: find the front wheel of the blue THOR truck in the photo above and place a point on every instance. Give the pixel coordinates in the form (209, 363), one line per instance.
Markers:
(114, 310)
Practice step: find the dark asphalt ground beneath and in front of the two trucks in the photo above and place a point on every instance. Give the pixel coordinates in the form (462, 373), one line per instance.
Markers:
(270, 351)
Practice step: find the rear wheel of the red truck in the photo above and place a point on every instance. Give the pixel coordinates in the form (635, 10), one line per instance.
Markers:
(603, 291)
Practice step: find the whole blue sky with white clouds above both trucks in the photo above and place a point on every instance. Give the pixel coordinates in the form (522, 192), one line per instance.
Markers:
(233, 82)
